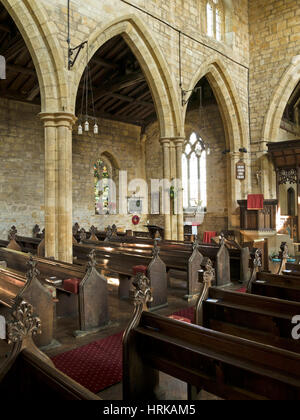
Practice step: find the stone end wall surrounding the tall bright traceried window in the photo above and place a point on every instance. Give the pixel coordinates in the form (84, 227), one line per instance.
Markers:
(216, 217)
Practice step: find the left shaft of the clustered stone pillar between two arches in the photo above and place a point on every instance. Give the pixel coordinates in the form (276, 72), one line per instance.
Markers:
(166, 185)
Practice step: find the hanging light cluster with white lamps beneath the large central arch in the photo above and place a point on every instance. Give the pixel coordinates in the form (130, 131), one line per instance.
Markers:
(87, 97)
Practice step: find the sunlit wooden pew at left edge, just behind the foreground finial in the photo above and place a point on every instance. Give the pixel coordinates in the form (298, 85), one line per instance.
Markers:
(29, 287)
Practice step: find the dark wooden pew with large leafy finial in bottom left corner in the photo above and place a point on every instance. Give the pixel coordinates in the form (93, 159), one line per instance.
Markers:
(27, 374)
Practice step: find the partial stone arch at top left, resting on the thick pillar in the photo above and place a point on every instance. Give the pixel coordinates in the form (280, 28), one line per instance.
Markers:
(40, 37)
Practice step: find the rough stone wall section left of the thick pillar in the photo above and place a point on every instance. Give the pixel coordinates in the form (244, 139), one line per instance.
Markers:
(21, 167)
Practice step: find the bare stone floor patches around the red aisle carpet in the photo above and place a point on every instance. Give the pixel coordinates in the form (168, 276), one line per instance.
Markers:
(120, 314)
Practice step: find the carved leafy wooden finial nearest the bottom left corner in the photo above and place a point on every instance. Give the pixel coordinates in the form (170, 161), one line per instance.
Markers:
(24, 324)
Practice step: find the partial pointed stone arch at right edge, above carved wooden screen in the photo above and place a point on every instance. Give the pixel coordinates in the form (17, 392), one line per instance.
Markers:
(281, 95)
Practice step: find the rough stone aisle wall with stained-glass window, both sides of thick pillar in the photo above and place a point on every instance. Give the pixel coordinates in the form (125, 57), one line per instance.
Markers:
(22, 169)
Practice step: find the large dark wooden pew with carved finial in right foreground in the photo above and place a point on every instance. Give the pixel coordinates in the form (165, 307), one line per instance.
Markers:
(224, 365)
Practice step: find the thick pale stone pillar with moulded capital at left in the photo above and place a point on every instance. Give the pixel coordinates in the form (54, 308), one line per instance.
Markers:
(58, 185)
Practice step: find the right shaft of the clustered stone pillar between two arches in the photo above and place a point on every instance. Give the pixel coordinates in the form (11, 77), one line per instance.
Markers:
(180, 229)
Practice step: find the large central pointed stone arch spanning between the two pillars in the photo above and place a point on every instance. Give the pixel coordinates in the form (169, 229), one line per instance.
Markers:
(152, 62)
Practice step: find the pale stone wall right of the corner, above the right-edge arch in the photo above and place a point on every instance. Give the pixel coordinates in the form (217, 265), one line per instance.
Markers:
(274, 41)
